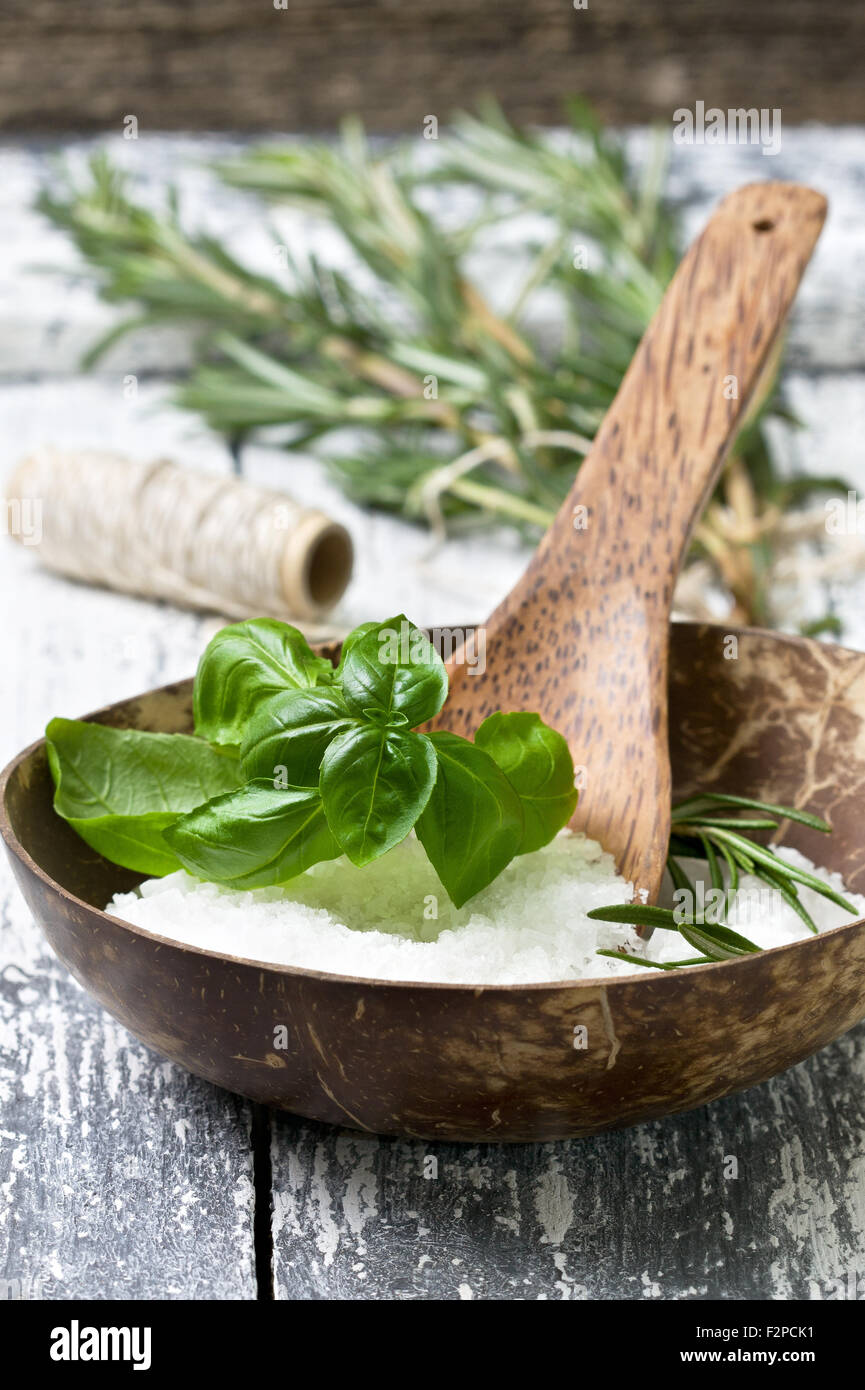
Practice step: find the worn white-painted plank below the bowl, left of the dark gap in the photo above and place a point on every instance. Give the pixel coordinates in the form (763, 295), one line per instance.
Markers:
(122, 1177)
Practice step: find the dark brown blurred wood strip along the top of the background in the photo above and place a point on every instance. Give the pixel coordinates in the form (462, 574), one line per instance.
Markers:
(204, 65)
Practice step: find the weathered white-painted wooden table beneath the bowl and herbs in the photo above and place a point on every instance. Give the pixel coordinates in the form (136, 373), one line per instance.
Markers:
(124, 1177)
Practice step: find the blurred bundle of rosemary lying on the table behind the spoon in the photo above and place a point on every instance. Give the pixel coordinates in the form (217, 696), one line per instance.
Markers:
(458, 411)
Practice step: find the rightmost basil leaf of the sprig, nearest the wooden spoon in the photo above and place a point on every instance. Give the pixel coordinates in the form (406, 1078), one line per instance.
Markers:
(537, 762)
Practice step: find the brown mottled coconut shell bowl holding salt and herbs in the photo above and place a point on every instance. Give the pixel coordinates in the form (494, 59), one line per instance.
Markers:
(786, 719)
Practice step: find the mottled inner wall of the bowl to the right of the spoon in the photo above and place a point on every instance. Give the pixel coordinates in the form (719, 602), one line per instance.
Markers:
(781, 719)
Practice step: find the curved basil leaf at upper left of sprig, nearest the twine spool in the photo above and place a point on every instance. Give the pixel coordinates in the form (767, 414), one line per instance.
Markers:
(247, 664)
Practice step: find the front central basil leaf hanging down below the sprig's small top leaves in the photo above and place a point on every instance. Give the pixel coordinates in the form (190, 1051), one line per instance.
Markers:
(375, 785)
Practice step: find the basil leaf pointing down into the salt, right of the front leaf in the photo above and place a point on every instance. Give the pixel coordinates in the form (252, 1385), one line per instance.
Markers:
(474, 824)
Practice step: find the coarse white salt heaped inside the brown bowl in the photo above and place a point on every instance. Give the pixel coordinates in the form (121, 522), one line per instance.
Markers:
(393, 921)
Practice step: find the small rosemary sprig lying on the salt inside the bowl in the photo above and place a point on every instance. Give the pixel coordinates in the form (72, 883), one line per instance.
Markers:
(702, 833)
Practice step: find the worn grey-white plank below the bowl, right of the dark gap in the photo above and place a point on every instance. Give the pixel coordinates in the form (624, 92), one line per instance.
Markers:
(754, 1197)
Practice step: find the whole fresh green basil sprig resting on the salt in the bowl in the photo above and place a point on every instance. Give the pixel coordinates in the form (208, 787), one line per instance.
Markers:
(296, 762)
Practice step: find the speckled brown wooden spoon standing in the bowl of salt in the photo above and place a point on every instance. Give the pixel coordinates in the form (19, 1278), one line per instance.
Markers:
(583, 637)
